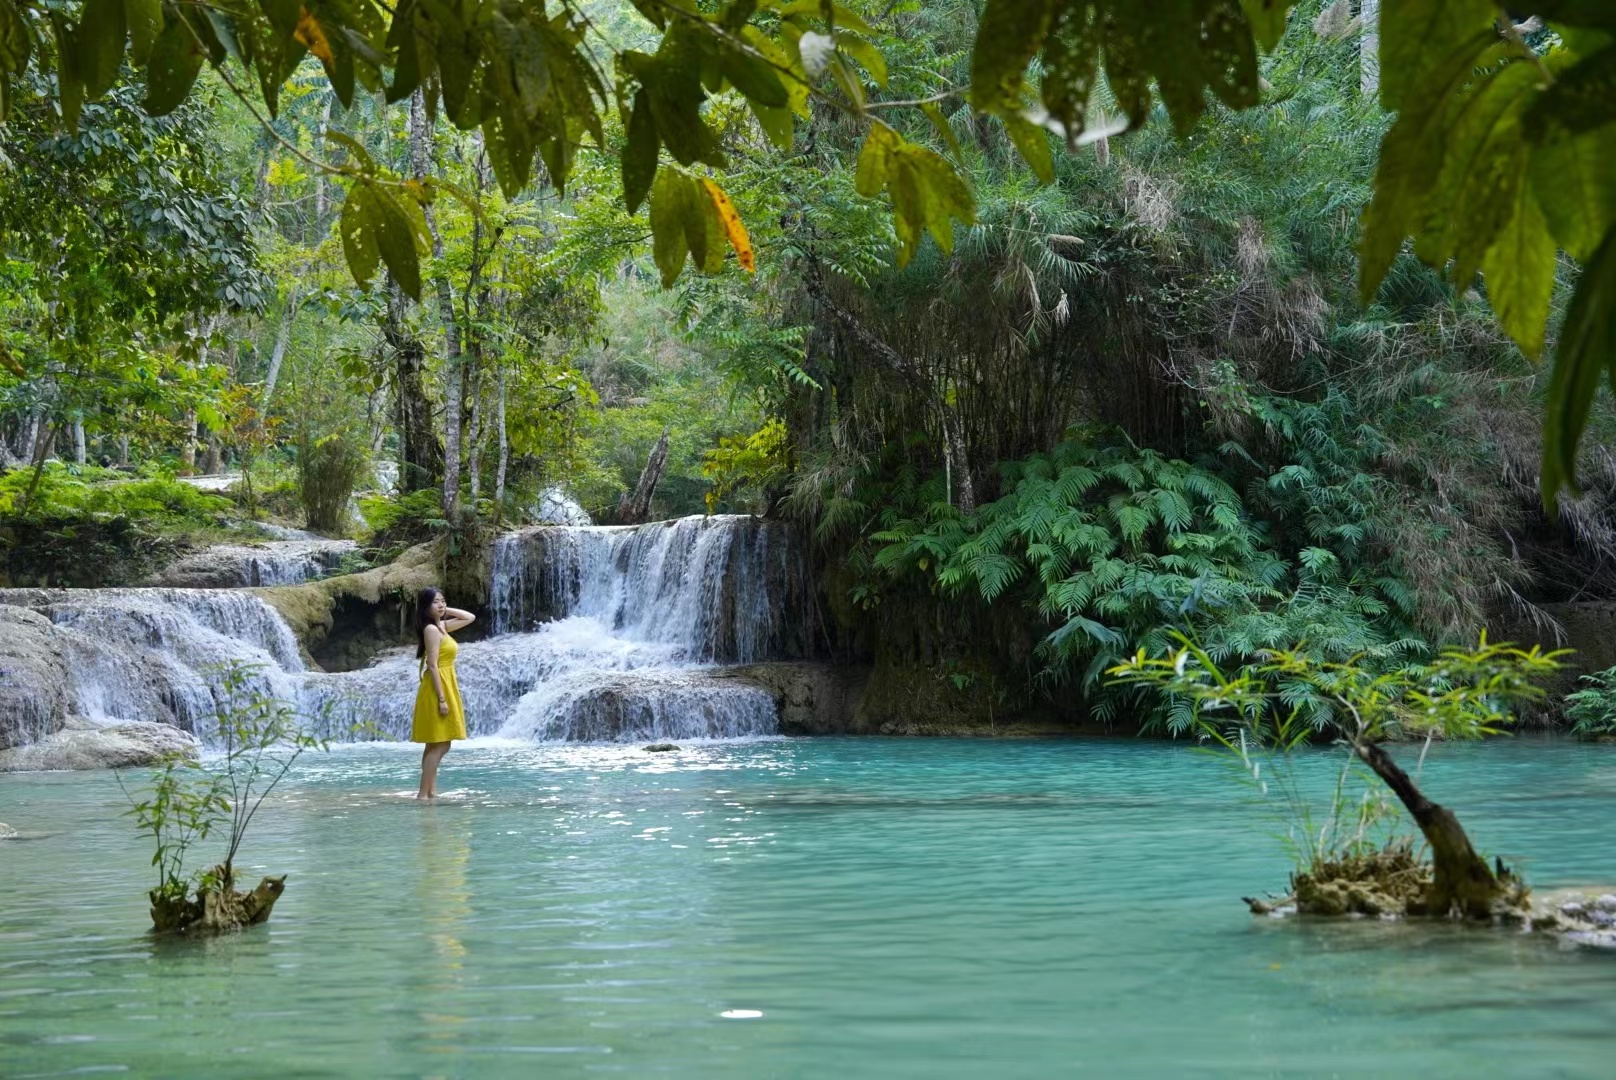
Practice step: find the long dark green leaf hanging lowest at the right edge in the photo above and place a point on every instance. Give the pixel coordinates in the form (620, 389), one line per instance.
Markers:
(1588, 350)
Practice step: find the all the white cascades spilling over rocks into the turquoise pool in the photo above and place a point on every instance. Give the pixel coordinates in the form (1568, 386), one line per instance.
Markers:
(641, 620)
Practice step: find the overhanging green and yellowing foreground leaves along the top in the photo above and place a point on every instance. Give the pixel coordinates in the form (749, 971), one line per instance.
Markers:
(1497, 161)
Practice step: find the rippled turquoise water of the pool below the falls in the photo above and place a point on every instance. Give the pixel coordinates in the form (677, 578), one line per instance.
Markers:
(794, 909)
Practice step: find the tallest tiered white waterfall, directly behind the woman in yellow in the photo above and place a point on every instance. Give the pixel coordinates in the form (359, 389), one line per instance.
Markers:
(605, 635)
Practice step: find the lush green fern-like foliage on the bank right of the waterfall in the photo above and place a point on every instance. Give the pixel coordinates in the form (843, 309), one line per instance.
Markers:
(1114, 549)
